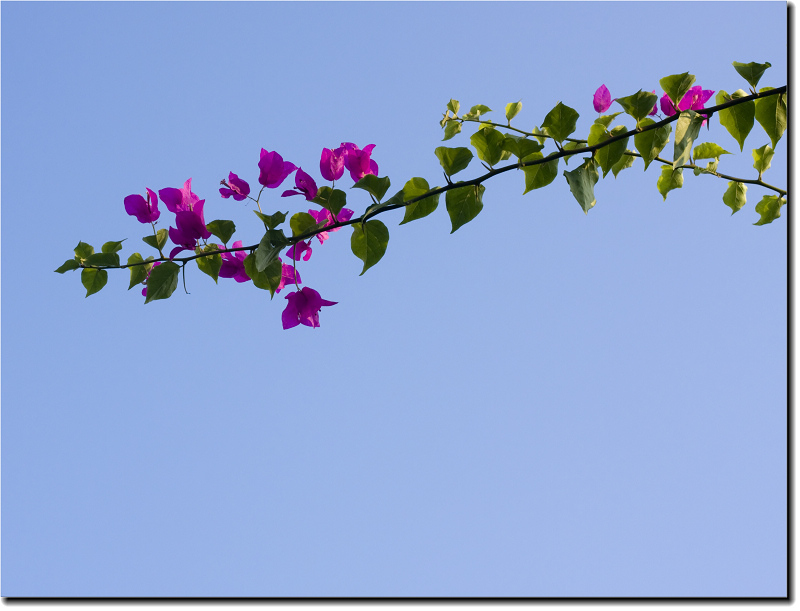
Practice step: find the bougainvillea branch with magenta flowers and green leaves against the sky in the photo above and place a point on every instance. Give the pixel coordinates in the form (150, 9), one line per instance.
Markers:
(682, 102)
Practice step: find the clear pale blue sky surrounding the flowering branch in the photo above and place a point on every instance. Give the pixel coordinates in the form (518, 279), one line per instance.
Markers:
(544, 403)
